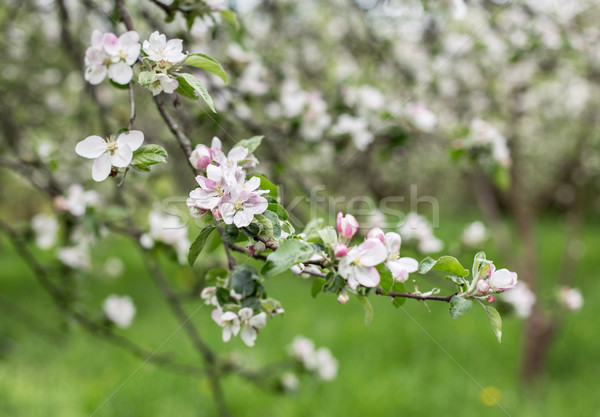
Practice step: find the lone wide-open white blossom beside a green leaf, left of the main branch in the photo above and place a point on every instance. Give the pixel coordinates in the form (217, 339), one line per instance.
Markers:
(114, 151)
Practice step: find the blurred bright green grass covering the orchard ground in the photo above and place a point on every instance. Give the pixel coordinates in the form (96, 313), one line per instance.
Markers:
(407, 362)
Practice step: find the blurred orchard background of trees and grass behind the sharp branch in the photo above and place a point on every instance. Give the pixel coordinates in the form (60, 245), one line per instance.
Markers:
(465, 125)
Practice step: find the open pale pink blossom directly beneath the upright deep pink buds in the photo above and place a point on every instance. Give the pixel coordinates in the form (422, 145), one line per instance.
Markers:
(358, 267)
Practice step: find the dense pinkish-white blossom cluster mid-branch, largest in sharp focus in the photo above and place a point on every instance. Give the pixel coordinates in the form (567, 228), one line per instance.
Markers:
(224, 189)
